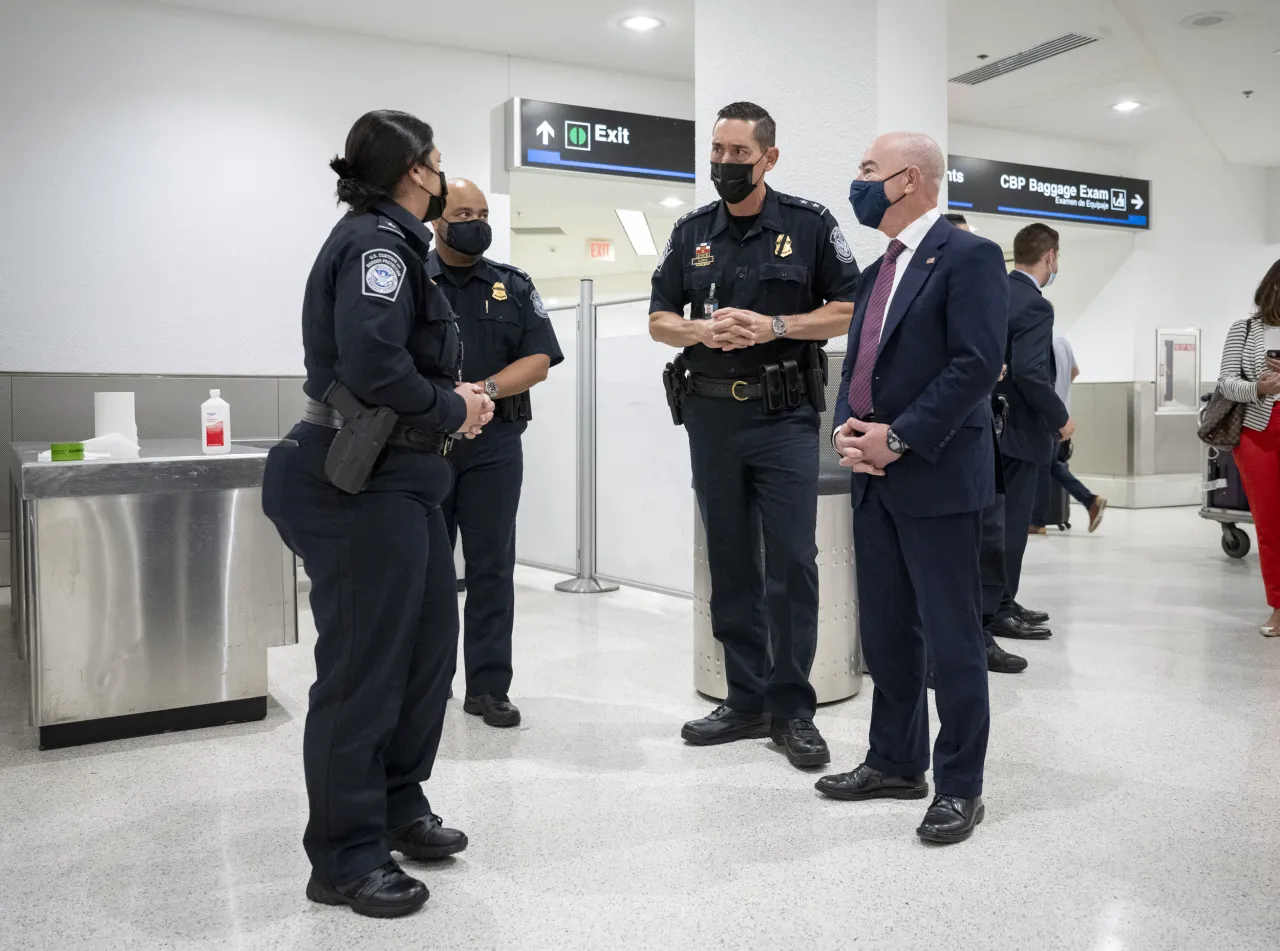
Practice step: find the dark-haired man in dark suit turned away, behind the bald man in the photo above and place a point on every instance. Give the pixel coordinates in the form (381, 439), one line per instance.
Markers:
(1037, 418)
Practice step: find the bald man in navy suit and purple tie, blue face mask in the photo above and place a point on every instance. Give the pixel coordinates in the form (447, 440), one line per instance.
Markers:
(916, 428)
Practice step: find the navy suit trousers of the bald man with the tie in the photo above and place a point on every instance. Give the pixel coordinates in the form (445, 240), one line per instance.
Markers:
(920, 593)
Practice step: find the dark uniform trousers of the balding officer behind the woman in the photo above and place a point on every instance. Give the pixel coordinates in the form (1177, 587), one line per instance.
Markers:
(488, 475)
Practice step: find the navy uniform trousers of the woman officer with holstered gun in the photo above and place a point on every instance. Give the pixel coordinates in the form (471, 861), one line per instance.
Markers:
(386, 606)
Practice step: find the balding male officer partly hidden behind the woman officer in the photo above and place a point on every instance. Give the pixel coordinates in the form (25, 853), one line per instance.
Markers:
(509, 346)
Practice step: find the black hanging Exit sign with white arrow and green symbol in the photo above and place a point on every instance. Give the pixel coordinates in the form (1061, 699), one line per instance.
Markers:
(598, 141)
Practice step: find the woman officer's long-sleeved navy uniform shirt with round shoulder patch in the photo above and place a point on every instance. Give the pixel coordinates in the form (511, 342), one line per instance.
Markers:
(374, 321)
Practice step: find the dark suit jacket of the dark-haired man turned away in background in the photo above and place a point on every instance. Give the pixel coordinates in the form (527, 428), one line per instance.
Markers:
(1036, 413)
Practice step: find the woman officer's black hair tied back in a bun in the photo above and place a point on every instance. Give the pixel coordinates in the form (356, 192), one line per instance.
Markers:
(381, 150)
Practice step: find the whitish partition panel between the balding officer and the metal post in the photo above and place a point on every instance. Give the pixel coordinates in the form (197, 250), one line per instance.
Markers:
(546, 529)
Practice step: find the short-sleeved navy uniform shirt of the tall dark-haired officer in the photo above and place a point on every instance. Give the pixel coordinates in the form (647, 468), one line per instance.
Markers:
(792, 260)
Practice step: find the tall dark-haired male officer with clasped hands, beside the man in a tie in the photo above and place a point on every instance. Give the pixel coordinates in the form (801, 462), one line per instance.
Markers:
(769, 278)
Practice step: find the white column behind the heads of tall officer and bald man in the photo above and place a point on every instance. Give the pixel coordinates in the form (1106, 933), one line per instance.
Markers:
(834, 76)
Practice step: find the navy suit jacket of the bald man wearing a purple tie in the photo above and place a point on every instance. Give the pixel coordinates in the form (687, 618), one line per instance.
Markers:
(939, 360)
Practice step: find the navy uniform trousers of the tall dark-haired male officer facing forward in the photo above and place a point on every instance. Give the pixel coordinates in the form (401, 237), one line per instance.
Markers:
(757, 474)
